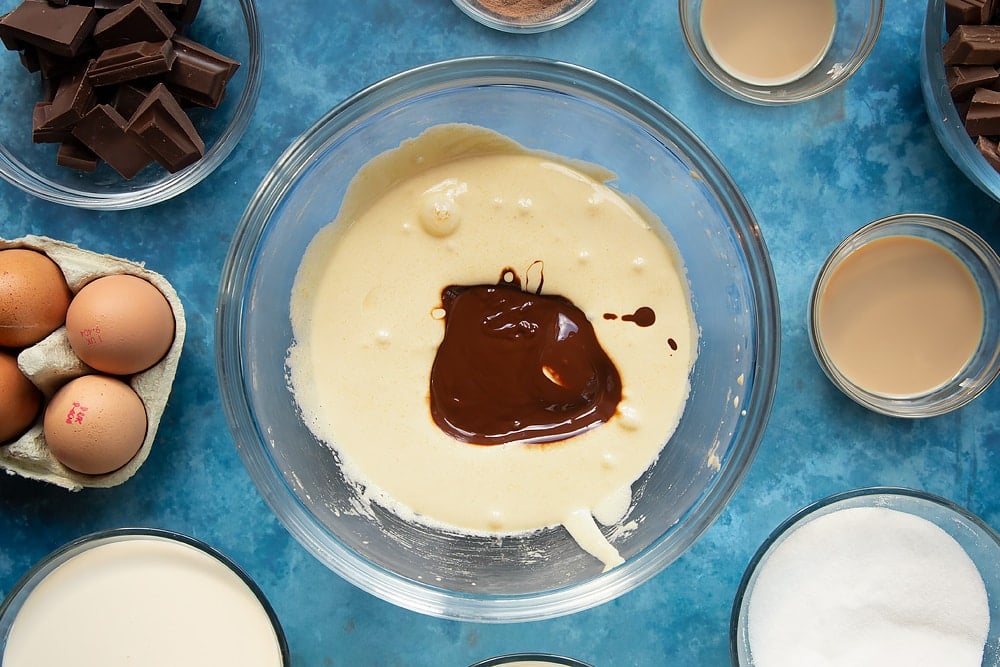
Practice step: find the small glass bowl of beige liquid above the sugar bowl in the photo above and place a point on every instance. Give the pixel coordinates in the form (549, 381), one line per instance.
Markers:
(904, 316)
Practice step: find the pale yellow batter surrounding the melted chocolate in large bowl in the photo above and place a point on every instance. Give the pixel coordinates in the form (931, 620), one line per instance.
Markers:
(456, 206)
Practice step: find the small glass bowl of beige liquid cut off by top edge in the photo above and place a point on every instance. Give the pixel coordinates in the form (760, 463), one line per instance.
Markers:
(779, 51)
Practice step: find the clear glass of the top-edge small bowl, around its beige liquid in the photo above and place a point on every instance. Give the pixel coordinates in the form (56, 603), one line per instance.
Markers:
(858, 25)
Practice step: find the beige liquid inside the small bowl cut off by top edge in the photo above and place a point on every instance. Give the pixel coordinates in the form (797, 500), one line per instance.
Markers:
(768, 42)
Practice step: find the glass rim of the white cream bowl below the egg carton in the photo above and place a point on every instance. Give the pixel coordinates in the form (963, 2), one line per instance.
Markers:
(62, 554)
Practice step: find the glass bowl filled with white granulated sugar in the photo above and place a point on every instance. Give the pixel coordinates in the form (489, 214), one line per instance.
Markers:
(873, 576)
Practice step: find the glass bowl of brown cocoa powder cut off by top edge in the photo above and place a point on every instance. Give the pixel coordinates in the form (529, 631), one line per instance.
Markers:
(524, 16)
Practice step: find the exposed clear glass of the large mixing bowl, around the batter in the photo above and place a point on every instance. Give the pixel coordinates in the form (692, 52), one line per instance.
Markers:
(581, 115)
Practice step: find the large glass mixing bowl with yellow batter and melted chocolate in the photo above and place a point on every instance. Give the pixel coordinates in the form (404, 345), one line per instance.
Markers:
(497, 339)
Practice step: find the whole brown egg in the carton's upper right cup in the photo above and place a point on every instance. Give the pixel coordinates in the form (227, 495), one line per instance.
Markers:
(120, 324)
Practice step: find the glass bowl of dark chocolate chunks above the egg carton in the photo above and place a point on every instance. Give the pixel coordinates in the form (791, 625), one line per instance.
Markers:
(119, 104)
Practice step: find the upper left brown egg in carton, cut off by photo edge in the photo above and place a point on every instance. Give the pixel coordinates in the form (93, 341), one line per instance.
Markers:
(34, 297)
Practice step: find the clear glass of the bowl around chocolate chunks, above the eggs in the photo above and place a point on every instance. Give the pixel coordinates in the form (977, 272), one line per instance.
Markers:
(230, 28)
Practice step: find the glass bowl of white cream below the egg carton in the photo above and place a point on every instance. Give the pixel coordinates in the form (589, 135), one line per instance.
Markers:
(139, 597)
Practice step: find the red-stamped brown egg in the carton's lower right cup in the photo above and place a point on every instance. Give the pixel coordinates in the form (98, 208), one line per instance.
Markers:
(95, 424)
